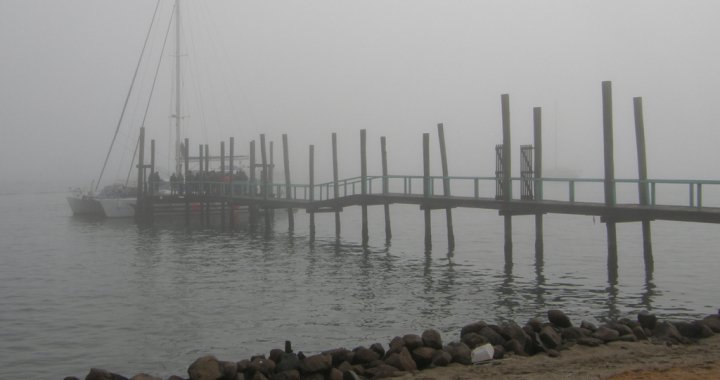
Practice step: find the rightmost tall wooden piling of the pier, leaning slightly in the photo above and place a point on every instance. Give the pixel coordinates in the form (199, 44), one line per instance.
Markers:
(643, 195)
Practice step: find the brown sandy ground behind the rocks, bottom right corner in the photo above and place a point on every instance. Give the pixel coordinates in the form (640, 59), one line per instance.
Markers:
(616, 361)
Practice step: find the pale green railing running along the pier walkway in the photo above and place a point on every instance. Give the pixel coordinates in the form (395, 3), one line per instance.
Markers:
(474, 187)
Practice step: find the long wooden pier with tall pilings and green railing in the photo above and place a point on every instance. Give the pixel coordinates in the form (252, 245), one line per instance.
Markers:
(262, 194)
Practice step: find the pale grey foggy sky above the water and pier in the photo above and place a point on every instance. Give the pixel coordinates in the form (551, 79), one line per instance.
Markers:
(395, 68)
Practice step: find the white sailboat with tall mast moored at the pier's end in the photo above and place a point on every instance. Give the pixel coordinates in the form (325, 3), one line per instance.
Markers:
(119, 200)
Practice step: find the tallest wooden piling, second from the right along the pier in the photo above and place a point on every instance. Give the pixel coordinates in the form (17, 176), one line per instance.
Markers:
(609, 181)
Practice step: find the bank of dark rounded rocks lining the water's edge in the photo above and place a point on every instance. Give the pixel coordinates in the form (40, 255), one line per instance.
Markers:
(411, 353)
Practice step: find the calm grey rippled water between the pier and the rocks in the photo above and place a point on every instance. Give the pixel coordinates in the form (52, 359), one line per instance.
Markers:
(78, 293)
